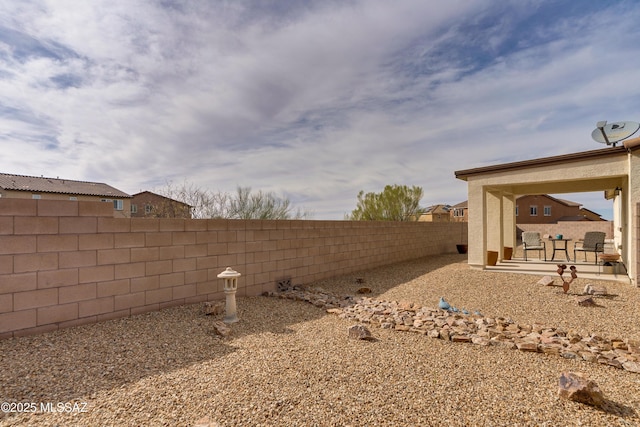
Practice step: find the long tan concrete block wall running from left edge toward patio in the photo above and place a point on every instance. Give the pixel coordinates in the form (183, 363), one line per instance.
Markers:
(66, 263)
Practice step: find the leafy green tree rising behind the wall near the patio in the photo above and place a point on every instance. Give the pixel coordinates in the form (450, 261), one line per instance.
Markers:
(394, 203)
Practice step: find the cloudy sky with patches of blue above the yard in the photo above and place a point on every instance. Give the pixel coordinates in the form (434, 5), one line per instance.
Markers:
(314, 100)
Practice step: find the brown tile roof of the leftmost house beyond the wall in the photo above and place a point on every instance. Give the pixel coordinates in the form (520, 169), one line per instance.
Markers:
(57, 185)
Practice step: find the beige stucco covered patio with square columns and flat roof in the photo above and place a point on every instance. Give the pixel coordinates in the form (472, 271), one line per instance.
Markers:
(492, 192)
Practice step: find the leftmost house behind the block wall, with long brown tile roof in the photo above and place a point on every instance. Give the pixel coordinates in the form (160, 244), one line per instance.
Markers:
(33, 187)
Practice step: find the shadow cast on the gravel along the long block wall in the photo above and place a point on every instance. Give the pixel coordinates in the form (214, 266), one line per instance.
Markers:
(76, 363)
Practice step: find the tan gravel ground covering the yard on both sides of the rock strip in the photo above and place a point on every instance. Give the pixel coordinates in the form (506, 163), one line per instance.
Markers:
(290, 363)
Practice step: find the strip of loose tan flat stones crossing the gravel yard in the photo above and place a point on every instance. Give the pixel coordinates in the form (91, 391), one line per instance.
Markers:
(476, 329)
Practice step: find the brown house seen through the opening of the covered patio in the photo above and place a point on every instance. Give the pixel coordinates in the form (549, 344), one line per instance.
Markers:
(545, 209)
